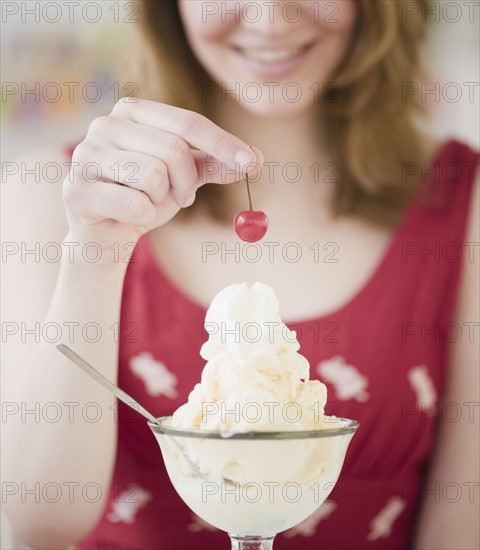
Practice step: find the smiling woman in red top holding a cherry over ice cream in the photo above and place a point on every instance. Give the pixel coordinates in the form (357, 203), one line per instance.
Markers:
(315, 89)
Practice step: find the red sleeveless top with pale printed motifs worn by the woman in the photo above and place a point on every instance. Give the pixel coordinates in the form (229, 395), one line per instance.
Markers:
(382, 357)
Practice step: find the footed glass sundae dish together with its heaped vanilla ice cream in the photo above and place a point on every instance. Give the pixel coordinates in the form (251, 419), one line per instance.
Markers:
(252, 452)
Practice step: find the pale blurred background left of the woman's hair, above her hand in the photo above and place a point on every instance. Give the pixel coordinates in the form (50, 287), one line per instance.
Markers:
(56, 75)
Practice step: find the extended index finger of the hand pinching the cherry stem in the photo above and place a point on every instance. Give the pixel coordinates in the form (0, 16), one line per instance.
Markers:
(195, 129)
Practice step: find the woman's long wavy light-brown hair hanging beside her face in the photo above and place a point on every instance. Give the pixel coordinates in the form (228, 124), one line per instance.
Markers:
(372, 131)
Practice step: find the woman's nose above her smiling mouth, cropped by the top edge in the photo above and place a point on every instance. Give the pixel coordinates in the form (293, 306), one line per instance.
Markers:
(271, 19)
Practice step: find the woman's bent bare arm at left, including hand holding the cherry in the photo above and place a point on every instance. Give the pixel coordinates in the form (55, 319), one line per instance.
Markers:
(65, 454)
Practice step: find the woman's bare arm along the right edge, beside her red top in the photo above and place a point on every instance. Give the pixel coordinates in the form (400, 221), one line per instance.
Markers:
(447, 524)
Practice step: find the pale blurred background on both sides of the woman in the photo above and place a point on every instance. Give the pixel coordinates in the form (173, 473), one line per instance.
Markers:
(60, 63)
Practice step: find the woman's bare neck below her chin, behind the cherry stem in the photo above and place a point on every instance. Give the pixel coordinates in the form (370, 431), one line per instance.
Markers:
(293, 172)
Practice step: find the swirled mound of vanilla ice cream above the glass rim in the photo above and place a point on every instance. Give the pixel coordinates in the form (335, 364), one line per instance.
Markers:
(254, 378)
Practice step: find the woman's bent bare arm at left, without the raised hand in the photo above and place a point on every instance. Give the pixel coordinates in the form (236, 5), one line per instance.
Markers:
(35, 452)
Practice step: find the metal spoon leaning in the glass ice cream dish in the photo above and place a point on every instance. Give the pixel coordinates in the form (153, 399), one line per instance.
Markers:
(120, 394)
